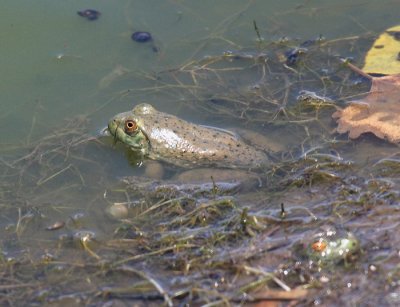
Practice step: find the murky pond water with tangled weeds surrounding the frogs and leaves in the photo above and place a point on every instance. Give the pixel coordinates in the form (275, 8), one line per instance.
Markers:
(64, 76)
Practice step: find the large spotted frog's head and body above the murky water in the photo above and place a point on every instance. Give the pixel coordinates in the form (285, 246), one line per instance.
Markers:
(164, 137)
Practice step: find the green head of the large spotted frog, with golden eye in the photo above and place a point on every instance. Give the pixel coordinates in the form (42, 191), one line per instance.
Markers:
(126, 128)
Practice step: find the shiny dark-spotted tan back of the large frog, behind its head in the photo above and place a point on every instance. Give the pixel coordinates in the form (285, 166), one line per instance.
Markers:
(186, 144)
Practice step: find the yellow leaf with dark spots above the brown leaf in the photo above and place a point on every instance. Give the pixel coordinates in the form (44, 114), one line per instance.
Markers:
(384, 55)
